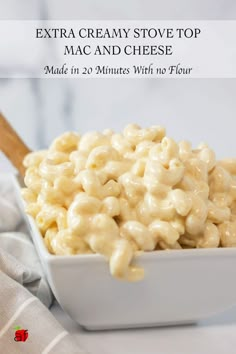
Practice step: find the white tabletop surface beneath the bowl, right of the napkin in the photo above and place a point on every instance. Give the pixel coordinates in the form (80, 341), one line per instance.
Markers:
(216, 335)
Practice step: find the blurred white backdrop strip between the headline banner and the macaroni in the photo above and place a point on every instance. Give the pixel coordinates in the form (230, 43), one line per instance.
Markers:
(196, 109)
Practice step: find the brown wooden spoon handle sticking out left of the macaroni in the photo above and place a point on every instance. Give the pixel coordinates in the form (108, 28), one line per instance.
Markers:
(12, 145)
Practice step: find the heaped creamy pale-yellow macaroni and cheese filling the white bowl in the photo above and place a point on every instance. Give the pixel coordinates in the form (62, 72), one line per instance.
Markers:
(119, 194)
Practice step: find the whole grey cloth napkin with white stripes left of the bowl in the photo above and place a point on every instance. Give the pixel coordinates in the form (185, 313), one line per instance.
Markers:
(26, 325)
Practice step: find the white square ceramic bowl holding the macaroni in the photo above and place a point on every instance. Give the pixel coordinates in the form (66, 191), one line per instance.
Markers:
(180, 286)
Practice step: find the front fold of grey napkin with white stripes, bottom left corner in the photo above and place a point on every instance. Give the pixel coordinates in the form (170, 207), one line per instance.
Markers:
(45, 334)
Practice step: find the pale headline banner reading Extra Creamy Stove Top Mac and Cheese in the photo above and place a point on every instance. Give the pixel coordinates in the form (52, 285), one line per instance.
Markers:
(115, 49)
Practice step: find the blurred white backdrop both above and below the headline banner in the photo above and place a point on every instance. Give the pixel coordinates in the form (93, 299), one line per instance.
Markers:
(198, 110)
